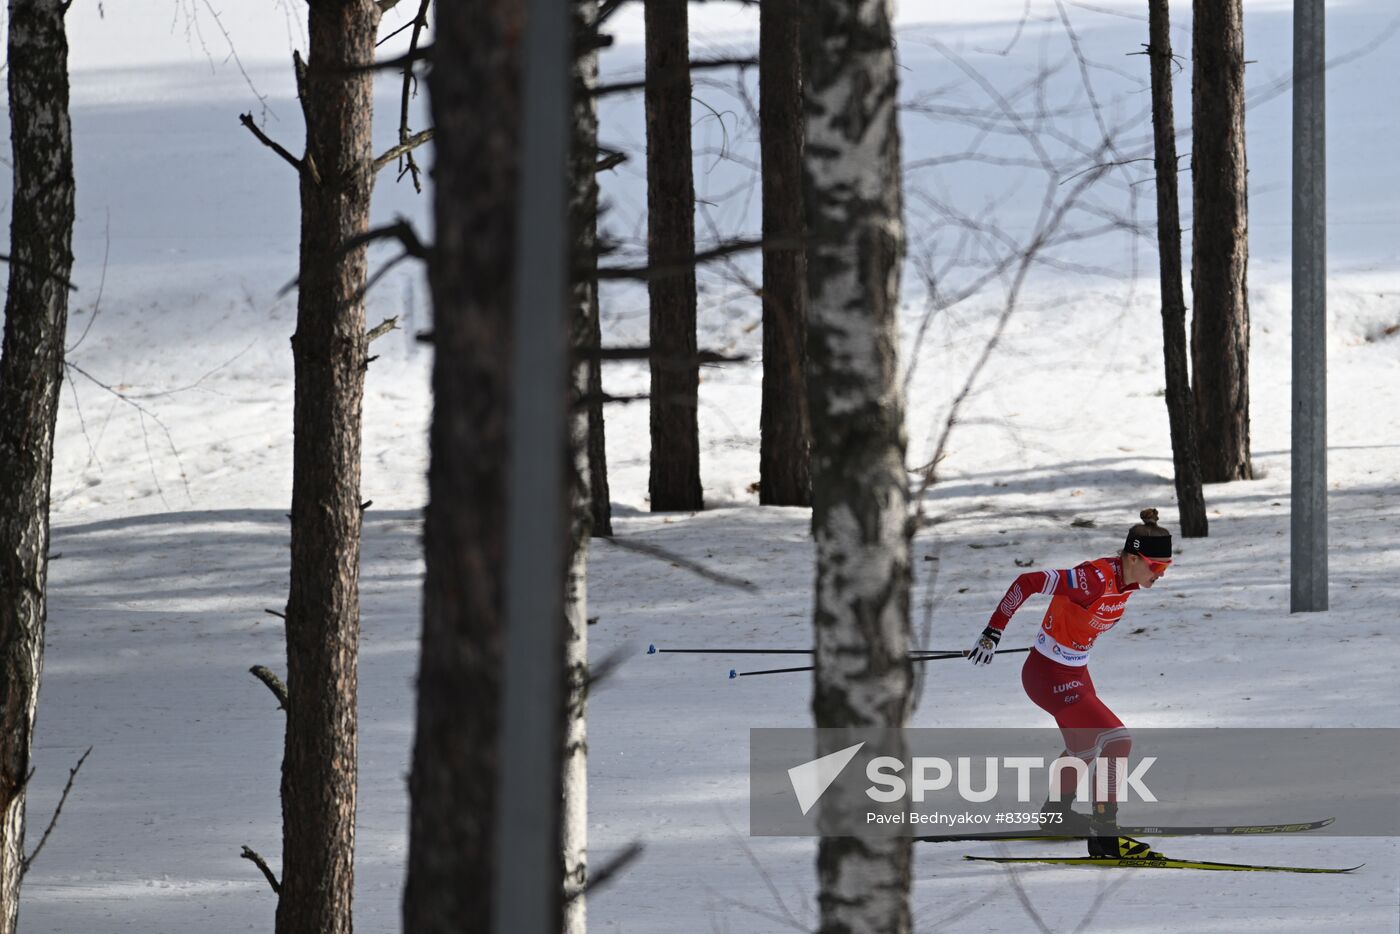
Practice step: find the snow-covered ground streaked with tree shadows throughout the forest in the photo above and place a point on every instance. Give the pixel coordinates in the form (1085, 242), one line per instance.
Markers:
(171, 536)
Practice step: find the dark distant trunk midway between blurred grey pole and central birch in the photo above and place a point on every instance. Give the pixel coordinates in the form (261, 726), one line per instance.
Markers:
(671, 237)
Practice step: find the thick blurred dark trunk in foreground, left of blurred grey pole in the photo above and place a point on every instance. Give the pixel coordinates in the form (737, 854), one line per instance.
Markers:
(475, 90)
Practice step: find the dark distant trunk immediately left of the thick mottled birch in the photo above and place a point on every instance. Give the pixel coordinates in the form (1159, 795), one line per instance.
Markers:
(785, 436)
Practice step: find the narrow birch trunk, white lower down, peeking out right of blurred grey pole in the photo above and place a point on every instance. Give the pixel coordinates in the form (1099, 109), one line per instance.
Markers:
(583, 218)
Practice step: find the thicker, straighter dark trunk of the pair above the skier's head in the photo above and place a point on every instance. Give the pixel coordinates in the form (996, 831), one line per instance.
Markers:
(1220, 242)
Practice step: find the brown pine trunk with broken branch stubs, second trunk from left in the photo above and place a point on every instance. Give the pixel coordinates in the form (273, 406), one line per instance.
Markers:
(330, 349)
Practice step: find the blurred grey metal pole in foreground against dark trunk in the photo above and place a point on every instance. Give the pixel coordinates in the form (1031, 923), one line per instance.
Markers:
(528, 867)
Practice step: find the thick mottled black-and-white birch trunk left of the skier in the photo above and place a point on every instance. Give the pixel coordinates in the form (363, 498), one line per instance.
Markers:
(860, 487)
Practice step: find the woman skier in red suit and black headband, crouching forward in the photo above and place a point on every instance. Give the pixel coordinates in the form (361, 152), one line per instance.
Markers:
(1086, 603)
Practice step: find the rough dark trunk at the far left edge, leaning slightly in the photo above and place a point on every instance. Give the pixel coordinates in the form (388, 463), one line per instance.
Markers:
(31, 373)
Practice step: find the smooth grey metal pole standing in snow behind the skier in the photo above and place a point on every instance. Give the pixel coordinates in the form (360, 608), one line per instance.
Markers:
(1310, 442)
